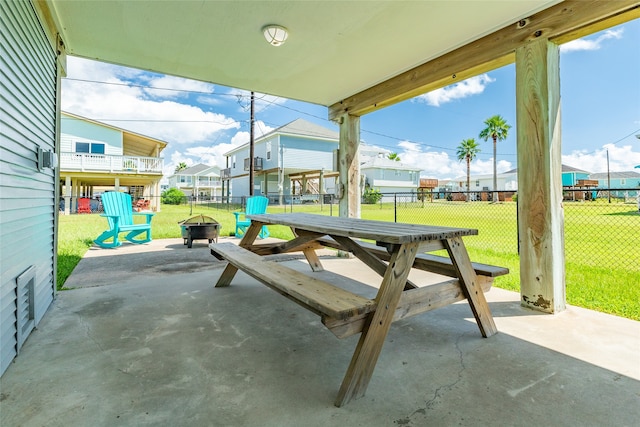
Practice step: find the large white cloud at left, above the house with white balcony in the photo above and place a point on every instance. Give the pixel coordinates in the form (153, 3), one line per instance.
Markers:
(130, 109)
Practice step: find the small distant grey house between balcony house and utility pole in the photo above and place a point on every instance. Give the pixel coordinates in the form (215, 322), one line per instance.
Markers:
(200, 180)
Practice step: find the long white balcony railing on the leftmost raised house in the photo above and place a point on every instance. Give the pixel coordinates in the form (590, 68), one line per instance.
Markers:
(107, 163)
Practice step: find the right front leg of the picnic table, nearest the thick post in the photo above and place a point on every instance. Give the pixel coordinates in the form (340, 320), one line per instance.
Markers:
(471, 287)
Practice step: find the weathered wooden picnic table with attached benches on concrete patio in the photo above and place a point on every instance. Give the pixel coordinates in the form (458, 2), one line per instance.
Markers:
(398, 248)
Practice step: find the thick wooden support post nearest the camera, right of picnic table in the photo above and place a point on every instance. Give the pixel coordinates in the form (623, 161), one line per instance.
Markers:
(540, 211)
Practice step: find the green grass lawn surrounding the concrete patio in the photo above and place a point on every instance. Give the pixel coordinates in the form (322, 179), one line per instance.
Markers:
(602, 255)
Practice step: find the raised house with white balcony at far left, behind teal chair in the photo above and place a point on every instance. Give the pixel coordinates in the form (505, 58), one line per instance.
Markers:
(96, 157)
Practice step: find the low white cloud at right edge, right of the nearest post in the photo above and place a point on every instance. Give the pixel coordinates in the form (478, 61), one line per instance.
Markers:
(621, 159)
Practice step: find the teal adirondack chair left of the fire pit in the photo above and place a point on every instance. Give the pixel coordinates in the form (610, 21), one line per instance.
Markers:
(119, 213)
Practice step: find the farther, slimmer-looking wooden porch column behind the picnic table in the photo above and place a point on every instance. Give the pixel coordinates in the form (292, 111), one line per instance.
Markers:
(349, 166)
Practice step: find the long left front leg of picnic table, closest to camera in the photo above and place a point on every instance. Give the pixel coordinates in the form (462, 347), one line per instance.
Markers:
(375, 331)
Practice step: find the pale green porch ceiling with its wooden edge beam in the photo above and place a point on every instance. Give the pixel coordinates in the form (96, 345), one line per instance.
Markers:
(351, 56)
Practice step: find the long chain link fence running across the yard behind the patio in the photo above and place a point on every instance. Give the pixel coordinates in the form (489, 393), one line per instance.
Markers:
(602, 228)
